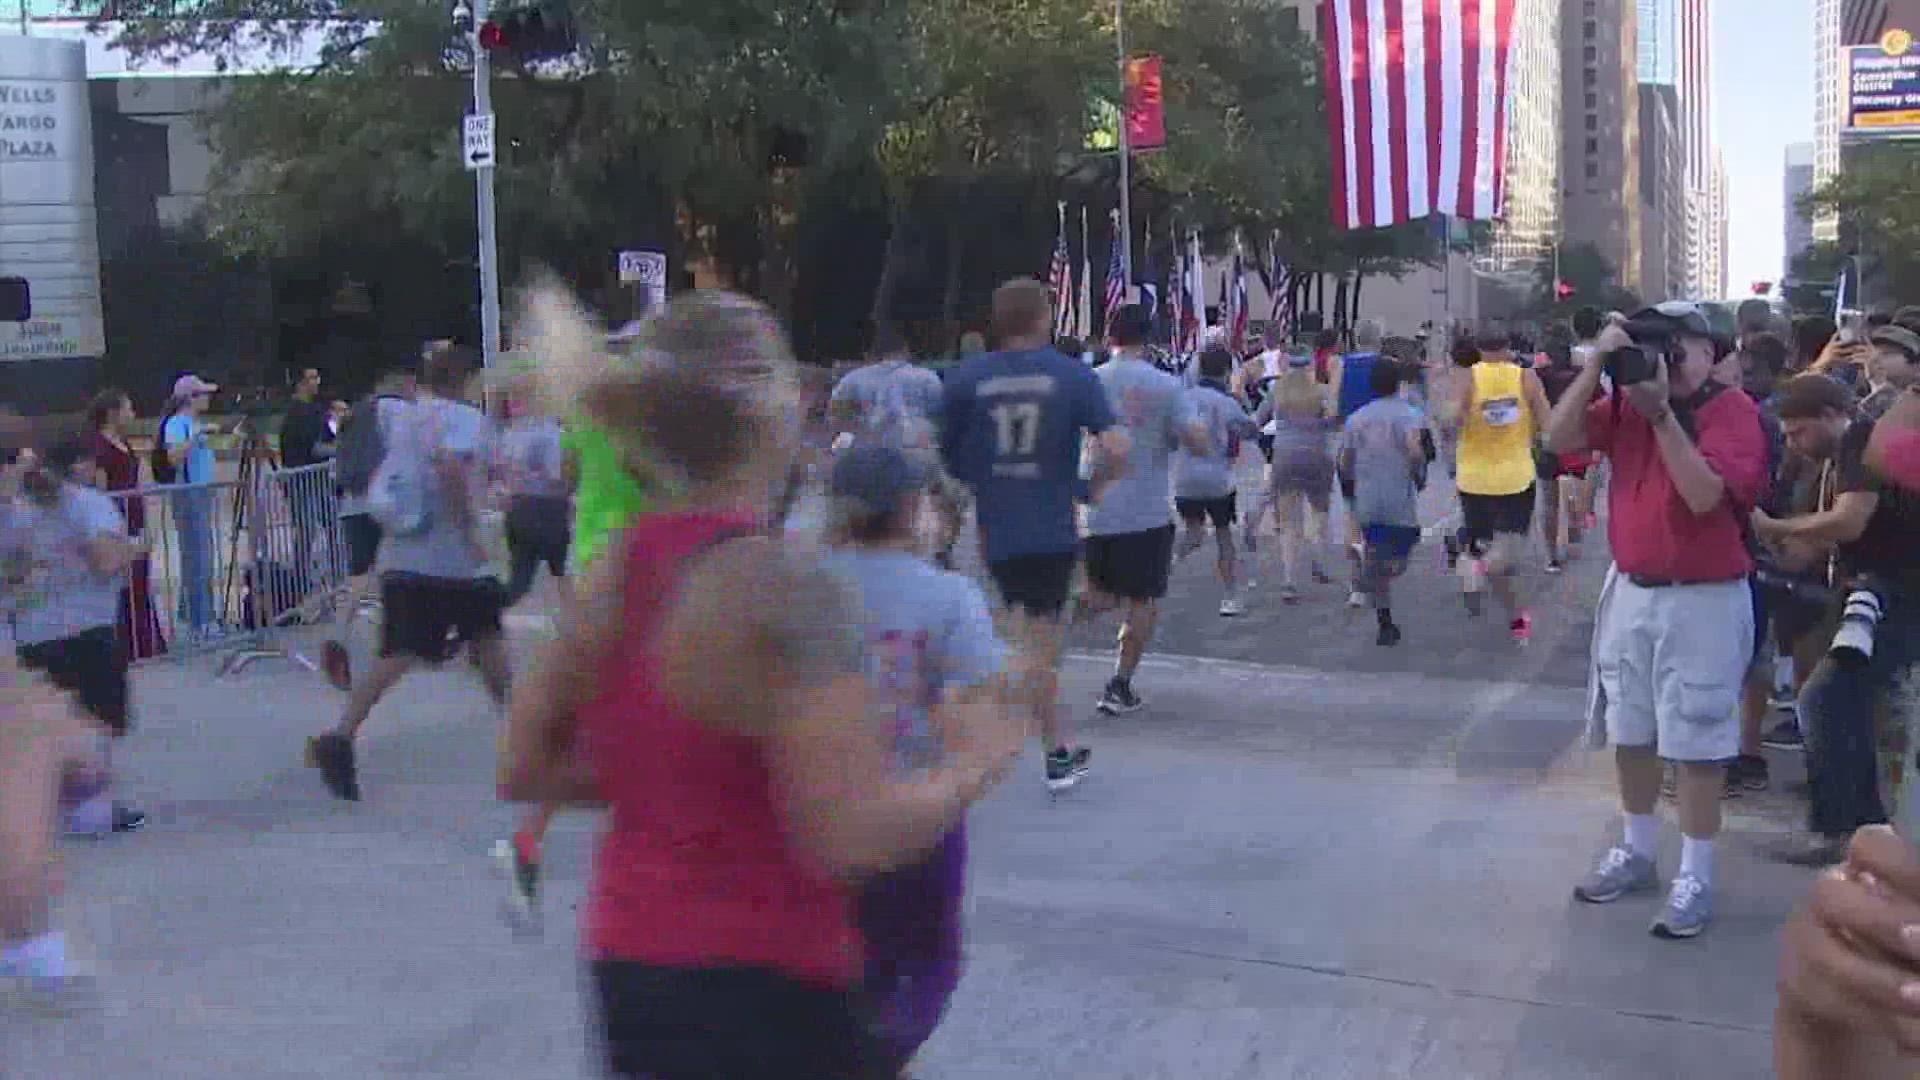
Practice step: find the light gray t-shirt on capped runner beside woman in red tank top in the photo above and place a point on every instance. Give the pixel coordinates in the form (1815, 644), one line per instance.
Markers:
(928, 633)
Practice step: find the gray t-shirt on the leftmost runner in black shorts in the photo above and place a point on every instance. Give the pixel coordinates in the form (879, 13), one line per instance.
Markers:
(60, 595)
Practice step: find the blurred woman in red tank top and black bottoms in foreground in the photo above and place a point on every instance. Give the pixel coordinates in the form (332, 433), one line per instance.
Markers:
(713, 697)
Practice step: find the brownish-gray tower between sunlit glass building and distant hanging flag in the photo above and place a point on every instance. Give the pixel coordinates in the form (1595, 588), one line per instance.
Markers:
(1600, 159)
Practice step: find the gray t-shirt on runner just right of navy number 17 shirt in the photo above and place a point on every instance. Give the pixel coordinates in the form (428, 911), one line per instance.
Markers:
(1153, 408)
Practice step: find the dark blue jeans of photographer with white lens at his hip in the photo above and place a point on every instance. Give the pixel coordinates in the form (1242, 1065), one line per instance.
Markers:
(1838, 718)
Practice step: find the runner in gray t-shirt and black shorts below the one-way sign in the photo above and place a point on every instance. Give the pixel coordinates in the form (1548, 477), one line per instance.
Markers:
(437, 593)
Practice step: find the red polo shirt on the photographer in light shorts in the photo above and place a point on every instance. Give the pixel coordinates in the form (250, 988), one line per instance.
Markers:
(1650, 528)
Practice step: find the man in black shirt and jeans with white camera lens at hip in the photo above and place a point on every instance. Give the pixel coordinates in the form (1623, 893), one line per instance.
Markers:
(1875, 577)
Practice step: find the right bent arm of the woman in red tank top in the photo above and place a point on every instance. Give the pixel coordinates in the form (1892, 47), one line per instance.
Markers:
(792, 677)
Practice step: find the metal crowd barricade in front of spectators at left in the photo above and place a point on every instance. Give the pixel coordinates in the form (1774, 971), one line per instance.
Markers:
(233, 564)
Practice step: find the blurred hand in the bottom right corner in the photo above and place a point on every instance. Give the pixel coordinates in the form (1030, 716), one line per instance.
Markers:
(1852, 956)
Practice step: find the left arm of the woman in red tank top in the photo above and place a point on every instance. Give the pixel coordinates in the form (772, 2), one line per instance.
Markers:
(540, 762)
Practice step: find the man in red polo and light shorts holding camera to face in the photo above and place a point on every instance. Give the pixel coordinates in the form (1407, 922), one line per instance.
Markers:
(1675, 622)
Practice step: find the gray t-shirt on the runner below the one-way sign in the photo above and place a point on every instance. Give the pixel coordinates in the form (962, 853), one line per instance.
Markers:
(443, 551)
